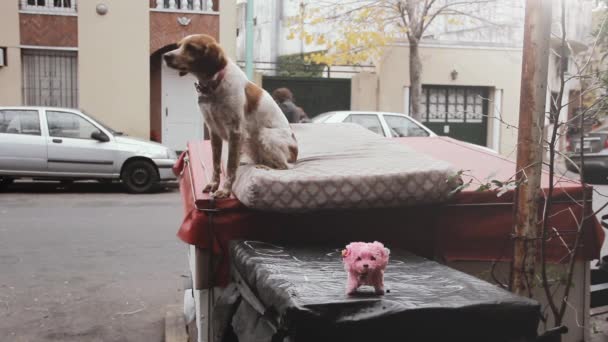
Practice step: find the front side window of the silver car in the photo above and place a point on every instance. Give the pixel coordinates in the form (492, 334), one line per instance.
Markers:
(69, 125)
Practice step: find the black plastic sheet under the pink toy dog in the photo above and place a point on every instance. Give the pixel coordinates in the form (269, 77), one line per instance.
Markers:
(302, 292)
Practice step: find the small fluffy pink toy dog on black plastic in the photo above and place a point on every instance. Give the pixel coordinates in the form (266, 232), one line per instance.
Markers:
(365, 264)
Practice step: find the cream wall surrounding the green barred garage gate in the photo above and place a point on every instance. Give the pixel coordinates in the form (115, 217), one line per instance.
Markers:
(487, 67)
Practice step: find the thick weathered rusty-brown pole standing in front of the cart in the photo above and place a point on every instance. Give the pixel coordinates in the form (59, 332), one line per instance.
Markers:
(535, 62)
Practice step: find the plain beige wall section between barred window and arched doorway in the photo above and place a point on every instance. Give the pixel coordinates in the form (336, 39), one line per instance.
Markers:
(114, 64)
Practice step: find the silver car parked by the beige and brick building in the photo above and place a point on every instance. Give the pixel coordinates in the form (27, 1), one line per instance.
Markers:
(67, 144)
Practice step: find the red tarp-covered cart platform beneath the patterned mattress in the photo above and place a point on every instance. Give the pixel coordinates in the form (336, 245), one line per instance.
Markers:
(470, 226)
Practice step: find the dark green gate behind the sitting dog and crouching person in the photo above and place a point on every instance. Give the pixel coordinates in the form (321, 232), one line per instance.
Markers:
(315, 95)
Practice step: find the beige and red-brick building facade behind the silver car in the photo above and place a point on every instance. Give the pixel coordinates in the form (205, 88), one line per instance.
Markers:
(105, 58)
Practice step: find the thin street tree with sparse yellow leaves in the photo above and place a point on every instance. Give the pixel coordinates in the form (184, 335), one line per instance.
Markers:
(358, 30)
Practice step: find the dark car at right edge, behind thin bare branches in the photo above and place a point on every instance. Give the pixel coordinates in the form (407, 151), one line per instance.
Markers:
(595, 150)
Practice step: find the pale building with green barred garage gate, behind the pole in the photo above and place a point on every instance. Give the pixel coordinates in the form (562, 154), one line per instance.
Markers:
(472, 73)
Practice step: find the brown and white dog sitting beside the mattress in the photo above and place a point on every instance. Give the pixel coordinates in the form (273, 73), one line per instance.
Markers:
(235, 110)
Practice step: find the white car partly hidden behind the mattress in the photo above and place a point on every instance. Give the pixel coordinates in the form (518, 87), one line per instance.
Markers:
(393, 125)
